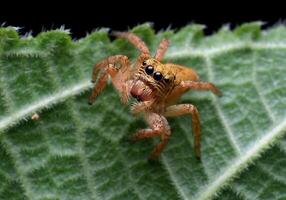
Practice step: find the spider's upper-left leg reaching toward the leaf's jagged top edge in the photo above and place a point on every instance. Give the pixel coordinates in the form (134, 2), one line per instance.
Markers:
(134, 39)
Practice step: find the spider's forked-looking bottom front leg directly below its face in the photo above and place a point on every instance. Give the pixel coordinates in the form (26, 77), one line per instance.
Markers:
(158, 127)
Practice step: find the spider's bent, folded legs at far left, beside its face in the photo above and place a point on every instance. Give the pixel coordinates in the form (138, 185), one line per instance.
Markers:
(108, 67)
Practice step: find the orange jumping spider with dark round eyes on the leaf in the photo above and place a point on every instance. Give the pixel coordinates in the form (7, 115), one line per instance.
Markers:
(155, 85)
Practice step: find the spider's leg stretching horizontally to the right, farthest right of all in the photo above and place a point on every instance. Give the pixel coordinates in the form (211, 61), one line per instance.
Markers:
(200, 86)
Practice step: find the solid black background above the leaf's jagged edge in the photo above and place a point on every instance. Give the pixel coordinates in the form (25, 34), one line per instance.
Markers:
(83, 17)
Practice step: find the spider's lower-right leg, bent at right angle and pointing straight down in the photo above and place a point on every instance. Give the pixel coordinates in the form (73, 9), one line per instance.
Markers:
(183, 109)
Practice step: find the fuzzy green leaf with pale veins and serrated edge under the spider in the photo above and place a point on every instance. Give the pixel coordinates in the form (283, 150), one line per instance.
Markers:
(74, 151)
